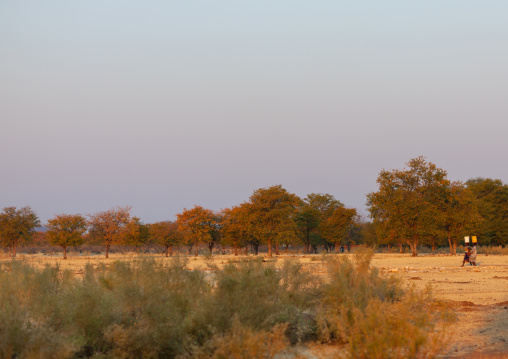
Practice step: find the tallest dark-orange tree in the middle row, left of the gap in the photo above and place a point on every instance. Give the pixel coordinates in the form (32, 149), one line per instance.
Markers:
(272, 213)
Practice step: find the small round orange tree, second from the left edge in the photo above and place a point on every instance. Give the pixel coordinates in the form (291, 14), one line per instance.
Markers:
(66, 230)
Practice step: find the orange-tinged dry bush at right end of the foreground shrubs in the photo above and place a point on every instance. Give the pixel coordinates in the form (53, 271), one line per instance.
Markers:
(374, 317)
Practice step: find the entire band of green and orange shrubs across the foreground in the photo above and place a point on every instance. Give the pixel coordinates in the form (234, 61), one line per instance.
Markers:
(250, 309)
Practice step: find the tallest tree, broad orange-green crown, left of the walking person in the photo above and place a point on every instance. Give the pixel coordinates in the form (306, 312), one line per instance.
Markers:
(407, 199)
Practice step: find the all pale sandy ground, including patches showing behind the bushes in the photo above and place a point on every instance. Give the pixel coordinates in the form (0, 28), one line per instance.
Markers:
(479, 294)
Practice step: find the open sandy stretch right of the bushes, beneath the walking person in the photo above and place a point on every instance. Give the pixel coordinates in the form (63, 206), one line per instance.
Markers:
(480, 295)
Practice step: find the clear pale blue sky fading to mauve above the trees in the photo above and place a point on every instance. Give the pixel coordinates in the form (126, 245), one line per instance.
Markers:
(163, 105)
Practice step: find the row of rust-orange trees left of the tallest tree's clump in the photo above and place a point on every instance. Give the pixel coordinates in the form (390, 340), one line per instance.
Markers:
(273, 217)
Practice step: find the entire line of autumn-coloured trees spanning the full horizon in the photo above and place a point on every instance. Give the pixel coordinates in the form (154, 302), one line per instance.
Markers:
(413, 206)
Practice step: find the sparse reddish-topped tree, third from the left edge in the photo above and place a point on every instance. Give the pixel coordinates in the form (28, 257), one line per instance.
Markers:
(109, 227)
